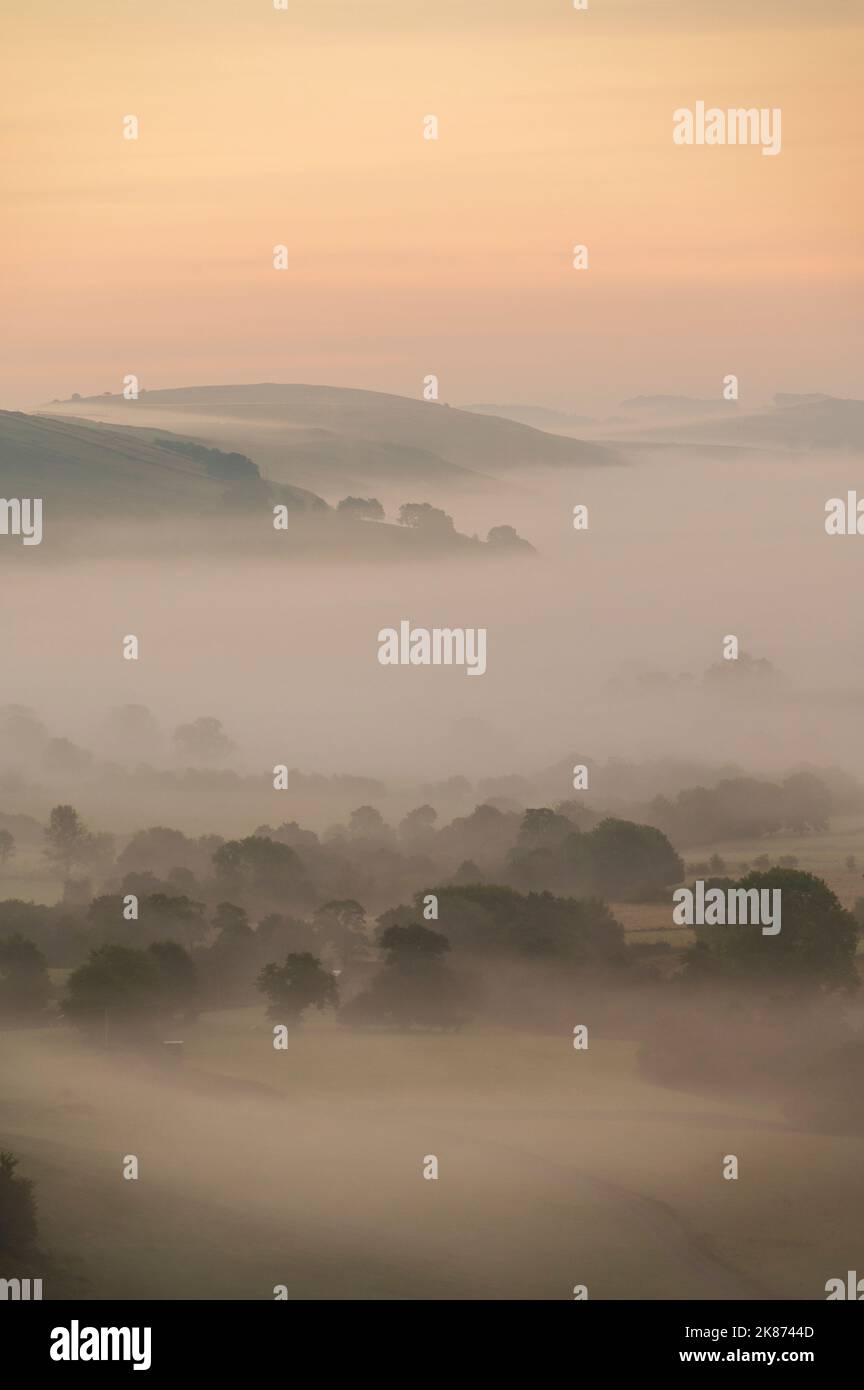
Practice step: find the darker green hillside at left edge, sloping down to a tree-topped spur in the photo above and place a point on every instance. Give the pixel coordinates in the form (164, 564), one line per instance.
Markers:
(88, 475)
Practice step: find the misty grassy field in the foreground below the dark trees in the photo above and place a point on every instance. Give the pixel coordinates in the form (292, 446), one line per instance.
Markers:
(556, 1168)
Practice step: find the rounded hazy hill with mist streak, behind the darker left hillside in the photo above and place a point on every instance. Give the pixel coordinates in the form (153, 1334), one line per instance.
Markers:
(337, 440)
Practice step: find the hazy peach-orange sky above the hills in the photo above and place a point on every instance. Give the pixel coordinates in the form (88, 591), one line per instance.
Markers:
(412, 256)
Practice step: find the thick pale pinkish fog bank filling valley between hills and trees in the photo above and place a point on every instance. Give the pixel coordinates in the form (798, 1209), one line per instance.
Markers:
(683, 550)
